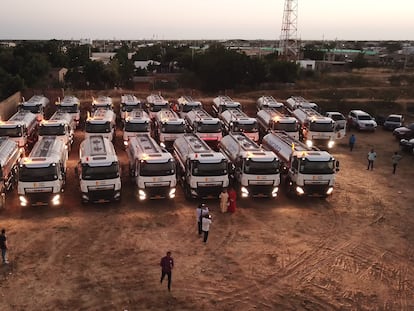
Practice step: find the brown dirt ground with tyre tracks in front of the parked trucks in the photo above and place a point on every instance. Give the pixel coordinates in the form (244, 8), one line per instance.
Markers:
(352, 251)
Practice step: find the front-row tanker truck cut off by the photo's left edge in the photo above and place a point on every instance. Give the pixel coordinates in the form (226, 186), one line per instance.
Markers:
(9, 161)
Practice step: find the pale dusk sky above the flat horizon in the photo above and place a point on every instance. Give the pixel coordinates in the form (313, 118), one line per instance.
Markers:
(205, 19)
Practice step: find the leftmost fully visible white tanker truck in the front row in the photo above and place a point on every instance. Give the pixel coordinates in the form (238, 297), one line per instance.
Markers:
(42, 175)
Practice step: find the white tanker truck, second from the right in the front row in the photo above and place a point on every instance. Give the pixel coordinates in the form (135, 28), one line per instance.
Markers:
(254, 170)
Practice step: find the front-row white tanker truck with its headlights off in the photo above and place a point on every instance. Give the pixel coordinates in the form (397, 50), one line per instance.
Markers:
(98, 170)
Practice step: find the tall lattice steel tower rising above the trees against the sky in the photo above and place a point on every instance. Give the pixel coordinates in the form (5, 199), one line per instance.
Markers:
(288, 43)
